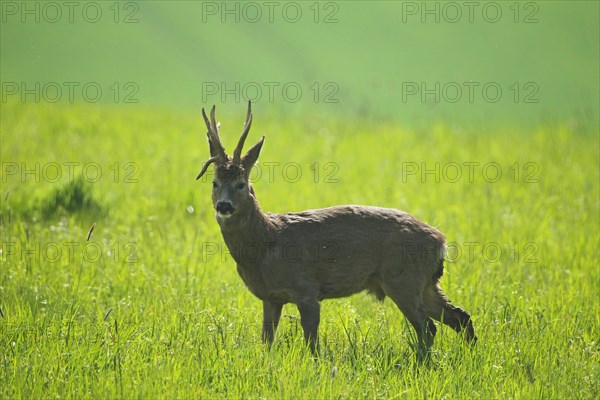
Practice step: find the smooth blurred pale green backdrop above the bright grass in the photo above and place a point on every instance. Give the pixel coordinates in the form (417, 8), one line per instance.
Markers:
(352, 59)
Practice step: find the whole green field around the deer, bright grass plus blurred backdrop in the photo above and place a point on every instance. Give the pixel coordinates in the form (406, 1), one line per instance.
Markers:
(100, 127)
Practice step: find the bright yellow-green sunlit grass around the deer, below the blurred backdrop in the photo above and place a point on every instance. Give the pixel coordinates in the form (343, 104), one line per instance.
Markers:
(145, 310)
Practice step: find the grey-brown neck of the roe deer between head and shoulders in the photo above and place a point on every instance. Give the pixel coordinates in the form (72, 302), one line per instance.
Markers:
(249, 236)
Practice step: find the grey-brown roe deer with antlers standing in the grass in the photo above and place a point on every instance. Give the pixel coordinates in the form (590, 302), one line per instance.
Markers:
(305, 257)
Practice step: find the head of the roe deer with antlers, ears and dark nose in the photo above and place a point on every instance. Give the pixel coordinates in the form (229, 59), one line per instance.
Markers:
(232, 193)
